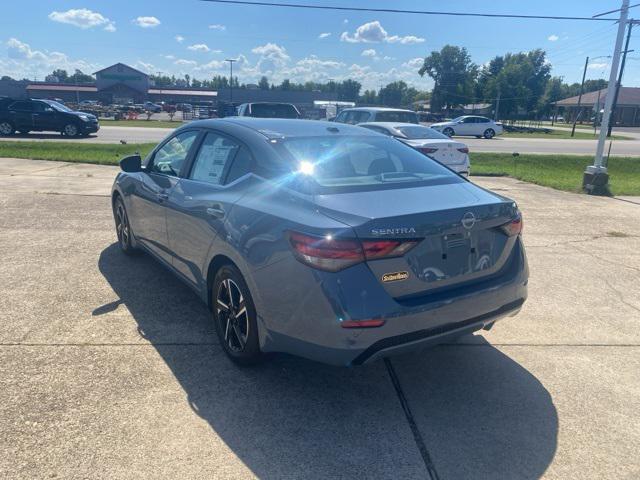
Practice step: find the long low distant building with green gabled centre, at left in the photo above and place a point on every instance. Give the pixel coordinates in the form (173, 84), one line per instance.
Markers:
(122, 84)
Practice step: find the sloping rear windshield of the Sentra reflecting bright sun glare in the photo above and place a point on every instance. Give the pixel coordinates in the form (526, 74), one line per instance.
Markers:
(345, 164)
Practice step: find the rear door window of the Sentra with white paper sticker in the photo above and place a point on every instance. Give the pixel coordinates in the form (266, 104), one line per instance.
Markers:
(214, 156)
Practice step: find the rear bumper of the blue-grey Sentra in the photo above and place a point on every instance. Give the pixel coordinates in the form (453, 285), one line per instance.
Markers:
(305, 320)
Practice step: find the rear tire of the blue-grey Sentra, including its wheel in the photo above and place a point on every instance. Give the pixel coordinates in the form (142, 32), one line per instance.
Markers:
(234, 317)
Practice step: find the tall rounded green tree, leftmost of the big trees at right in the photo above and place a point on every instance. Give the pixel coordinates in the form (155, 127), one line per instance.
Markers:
(454, 75)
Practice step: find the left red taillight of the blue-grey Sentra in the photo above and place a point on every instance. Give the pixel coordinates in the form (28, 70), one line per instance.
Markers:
(334, 254)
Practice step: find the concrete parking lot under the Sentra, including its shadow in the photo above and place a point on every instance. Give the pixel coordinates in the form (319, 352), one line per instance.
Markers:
(110, 368)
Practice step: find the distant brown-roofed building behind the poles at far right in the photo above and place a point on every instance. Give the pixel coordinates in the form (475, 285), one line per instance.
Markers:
(626, 114)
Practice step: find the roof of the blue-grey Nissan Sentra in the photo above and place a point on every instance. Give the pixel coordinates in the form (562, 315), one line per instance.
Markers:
(283, 127)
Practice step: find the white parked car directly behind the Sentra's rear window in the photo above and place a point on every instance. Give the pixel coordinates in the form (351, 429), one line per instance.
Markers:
(453, 154)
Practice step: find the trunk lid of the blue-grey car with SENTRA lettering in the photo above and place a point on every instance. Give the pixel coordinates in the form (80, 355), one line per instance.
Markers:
(458, 228)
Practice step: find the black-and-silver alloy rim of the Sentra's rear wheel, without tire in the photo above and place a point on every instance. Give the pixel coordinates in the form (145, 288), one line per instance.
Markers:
(233, 315)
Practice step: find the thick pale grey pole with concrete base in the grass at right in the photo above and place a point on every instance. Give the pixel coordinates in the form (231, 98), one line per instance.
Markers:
(596, 178)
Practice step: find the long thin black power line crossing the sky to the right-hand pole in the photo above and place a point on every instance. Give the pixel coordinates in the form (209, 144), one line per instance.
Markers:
(415, 12)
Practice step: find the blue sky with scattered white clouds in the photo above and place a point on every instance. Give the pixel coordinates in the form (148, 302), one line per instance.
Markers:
(195, 37)
